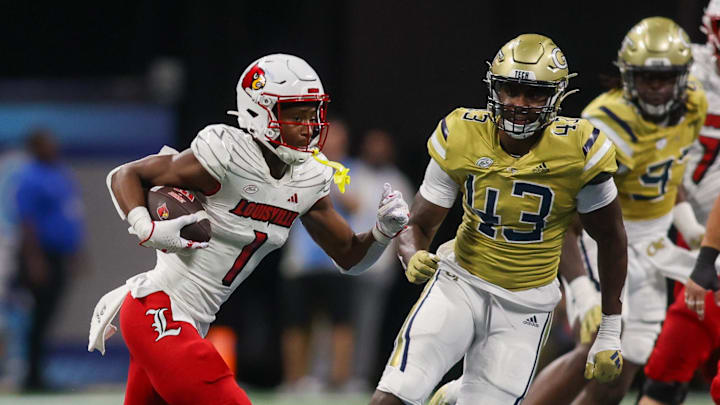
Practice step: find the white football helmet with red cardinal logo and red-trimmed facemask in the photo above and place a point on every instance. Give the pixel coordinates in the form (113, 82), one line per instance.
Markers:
(264, 87)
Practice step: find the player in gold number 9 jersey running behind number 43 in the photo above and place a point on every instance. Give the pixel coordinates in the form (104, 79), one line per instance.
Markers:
(652, 120)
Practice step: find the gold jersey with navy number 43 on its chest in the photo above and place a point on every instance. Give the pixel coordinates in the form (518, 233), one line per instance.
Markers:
(516, 209)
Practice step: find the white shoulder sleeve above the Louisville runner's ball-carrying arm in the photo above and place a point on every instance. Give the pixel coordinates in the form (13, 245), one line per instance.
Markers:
(210, 150)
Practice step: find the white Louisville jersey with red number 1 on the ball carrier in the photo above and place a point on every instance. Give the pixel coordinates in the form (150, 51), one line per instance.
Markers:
(251, 215)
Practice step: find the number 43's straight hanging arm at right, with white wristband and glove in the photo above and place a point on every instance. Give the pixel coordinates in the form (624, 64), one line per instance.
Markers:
(605, 225)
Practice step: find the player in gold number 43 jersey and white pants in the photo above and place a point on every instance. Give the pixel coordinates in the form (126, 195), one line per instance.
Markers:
(524, 173)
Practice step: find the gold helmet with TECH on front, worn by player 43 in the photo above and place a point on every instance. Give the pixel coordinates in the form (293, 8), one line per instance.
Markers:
(535, 61)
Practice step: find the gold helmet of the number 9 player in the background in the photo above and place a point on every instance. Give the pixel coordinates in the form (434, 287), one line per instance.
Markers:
(655, 44)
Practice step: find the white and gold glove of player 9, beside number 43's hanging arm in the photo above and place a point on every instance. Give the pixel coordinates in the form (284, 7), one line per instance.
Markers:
(588, 306)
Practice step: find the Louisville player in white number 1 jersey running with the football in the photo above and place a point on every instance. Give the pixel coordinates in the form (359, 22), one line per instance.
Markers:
(256, 180)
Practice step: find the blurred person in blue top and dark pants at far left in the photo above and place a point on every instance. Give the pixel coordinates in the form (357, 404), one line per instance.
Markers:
(51, 226)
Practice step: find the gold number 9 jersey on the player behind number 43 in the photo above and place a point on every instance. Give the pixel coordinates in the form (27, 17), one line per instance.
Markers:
(654, 156)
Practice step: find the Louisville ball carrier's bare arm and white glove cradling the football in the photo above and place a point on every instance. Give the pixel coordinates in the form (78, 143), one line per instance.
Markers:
(127, 185)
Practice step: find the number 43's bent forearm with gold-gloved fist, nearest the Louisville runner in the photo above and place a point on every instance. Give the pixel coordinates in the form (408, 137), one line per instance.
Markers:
(425, 219)
